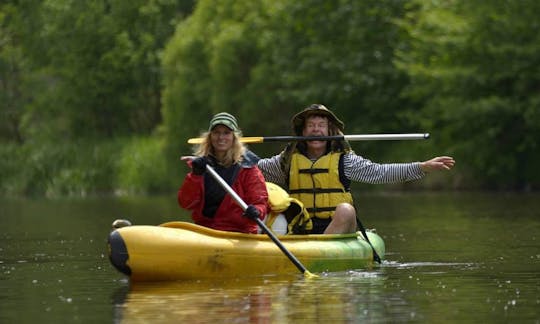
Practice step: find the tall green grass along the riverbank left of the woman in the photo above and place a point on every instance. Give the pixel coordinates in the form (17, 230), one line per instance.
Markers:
(84, 167)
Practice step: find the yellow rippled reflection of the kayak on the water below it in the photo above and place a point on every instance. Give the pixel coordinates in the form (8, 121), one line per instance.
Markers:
(338, 297)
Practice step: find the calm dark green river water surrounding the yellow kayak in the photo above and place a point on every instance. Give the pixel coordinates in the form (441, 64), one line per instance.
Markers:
(451, 258)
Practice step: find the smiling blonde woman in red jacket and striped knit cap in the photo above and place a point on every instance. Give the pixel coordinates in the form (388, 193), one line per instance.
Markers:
(211, 206)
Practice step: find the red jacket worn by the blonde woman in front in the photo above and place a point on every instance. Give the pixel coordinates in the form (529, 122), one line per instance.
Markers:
(249, 185)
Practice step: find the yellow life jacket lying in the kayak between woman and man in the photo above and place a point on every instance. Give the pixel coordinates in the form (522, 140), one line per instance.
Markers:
(280, 202)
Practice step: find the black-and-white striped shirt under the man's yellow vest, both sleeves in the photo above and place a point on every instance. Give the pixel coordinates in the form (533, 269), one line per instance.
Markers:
(355, 168)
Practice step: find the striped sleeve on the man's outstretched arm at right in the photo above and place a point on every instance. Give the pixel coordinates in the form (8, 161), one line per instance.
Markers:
(356, 168)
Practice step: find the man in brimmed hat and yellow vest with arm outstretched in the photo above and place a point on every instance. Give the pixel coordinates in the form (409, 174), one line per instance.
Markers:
(318, 173)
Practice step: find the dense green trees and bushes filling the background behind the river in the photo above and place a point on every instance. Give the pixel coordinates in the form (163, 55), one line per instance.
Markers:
(101, 96)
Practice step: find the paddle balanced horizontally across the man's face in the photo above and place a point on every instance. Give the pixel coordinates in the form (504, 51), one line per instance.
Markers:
(365, 137)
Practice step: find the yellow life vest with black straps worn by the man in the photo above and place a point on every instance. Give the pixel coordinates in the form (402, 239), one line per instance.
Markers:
(317, 184)
